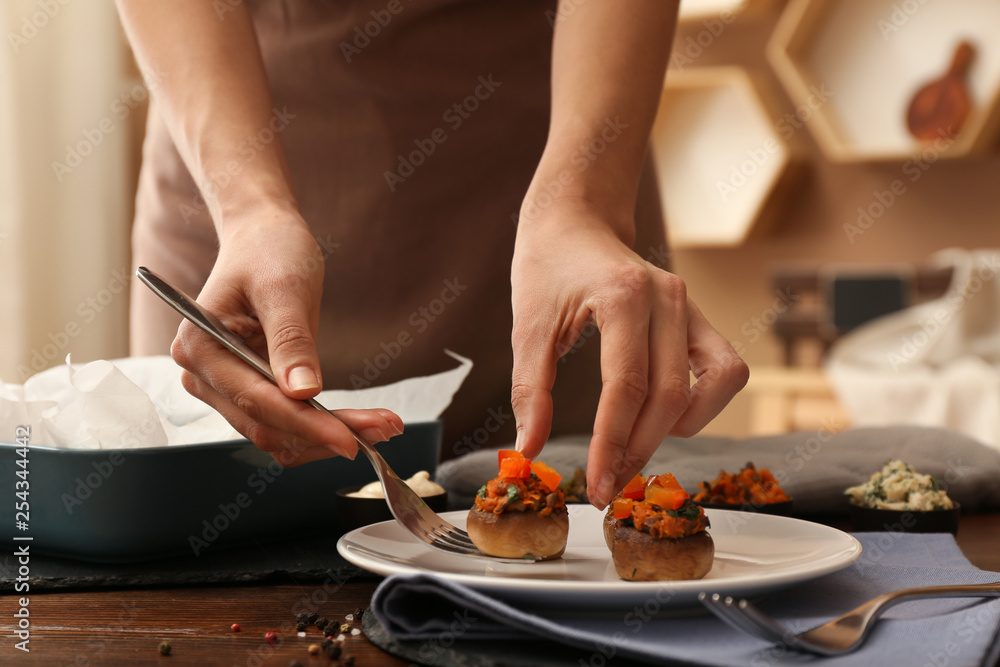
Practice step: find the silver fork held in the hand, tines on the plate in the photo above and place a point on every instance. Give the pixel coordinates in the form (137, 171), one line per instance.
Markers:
(406, 506)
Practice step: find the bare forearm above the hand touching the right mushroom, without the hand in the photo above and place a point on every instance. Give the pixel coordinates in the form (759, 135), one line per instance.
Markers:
(609, 60)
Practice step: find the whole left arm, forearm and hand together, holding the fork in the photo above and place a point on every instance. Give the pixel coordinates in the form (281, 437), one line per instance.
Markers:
(268, 278)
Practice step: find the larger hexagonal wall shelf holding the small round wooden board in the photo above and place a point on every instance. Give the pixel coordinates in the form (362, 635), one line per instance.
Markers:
(868, 58)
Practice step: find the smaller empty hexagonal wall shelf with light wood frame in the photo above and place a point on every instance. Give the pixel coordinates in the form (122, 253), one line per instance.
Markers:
(722, 166)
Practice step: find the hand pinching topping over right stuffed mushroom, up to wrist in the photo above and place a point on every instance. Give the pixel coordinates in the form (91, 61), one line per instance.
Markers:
(570, 268)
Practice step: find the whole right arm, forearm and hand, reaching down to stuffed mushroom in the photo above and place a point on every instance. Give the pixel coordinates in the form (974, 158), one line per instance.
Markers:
(572, 261)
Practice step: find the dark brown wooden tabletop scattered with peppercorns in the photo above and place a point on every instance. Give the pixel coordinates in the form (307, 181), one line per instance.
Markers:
(81, 629)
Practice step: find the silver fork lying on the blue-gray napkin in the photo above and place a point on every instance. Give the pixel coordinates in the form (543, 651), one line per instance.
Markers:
(841, 635)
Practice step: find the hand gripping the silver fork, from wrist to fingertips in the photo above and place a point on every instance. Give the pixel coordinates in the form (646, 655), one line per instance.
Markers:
(266, 287)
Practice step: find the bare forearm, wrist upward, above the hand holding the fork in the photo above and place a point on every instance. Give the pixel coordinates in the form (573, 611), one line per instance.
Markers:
(214, 96)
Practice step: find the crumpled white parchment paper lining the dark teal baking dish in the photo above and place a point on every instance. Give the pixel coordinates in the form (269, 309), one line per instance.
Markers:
(139, 402)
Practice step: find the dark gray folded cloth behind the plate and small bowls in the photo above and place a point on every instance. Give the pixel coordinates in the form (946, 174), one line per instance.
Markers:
(814, 467)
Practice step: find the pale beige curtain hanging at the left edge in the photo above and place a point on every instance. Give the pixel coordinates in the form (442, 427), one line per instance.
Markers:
(67, 106)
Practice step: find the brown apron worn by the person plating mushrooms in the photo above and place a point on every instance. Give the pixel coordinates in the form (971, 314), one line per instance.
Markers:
(411, 139)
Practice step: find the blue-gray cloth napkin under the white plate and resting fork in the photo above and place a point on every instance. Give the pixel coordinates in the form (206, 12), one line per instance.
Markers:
(959, 632)
